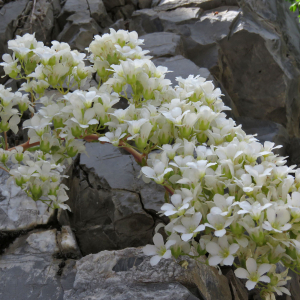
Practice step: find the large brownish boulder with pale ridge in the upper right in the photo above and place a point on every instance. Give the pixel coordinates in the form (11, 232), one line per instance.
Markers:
(259, 63)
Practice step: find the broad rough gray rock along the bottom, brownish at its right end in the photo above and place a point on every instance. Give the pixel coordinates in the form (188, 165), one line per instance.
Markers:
(127, 274)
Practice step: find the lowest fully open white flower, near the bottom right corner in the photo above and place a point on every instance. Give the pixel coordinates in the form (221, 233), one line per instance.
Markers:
(253, 274)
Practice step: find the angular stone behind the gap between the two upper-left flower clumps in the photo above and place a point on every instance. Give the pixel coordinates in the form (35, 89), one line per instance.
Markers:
(79, 31)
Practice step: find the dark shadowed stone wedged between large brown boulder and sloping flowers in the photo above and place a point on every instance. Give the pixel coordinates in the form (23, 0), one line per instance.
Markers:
(266, 131)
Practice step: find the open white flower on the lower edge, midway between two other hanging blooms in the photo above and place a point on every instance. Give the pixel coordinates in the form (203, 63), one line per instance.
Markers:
(221, 252)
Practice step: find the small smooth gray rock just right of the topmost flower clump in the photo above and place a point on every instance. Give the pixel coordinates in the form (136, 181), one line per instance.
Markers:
(162, 44)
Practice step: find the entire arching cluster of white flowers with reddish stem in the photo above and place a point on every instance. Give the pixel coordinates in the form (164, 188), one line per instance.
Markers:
(227, 196)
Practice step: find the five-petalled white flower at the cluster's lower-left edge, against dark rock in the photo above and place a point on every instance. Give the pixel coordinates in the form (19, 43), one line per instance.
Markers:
(159, 249)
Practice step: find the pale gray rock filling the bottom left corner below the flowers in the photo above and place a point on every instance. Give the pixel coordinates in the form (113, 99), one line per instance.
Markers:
(29, 265)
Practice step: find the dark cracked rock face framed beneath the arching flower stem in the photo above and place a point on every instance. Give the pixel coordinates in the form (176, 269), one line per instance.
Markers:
(111, 207)
